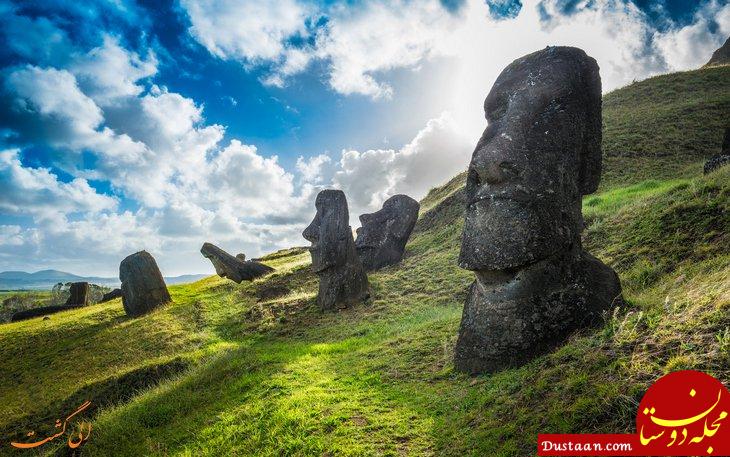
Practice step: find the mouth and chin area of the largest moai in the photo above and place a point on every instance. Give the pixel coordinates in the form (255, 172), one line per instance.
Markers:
(505, 234)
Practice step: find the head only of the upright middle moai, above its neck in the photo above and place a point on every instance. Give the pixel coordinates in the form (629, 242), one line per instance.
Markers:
(329, 232)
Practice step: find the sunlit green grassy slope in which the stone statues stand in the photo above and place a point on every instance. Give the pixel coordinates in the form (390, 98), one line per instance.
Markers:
(256, 369)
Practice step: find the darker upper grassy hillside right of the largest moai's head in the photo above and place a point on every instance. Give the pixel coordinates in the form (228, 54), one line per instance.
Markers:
(664, 126)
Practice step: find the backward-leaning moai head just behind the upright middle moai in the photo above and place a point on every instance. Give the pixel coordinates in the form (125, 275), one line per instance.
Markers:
(383, 235)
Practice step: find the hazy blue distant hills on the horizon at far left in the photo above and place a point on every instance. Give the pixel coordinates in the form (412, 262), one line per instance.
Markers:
(46, 279)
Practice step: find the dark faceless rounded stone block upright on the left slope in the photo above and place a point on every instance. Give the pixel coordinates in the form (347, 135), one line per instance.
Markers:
(143, 288)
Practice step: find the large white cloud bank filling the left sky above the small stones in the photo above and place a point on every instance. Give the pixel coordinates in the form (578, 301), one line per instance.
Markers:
(154, 147)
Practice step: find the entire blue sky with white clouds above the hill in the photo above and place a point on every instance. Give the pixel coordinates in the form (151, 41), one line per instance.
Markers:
(159, 125)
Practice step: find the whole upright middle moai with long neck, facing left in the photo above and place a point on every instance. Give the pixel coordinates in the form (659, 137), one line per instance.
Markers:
(342, 280)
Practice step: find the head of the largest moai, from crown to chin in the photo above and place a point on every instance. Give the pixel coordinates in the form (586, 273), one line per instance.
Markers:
(540, 153)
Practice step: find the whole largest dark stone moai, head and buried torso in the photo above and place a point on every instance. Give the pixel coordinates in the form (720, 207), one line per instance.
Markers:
(540, 153)
